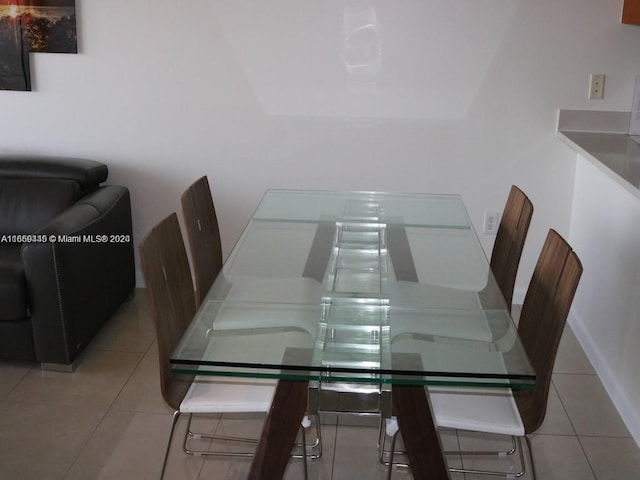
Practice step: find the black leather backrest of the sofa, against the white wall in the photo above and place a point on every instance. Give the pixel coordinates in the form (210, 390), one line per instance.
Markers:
(34, 190)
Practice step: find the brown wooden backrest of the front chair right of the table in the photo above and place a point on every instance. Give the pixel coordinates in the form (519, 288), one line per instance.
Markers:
(542, 321)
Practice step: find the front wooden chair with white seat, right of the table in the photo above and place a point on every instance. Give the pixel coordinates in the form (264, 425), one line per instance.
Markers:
(519, 412)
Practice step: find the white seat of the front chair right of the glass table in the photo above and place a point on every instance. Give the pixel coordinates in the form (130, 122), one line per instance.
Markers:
(491, 410)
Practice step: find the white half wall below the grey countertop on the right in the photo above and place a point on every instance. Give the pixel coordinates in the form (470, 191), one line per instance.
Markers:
(605, 227)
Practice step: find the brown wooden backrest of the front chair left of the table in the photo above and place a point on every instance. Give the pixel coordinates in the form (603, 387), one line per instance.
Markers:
(170, 288)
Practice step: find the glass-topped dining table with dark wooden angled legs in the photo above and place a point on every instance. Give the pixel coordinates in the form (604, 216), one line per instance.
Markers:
(362, 295)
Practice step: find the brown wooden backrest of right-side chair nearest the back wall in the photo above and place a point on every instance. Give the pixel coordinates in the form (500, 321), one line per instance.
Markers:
(509, 243)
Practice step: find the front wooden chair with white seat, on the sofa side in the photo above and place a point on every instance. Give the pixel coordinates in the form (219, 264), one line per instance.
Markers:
(170, 288)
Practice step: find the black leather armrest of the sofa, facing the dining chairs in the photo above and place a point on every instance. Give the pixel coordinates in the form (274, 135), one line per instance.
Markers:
(78, 278)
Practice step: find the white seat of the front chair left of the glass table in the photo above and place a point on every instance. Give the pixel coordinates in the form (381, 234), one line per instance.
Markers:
(210, 394)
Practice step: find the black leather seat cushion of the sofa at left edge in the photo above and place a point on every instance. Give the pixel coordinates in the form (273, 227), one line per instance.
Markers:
(13, 284)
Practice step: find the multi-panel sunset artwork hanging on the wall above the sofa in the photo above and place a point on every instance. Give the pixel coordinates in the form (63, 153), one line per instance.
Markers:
(33, 26)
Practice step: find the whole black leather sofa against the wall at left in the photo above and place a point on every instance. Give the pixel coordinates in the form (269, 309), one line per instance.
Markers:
(66, 256)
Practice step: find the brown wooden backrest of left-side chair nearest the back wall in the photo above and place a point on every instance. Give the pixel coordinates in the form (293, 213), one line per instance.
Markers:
(204, 235)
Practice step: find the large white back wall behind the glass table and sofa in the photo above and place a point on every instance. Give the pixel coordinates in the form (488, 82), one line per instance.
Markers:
(456, 96)
